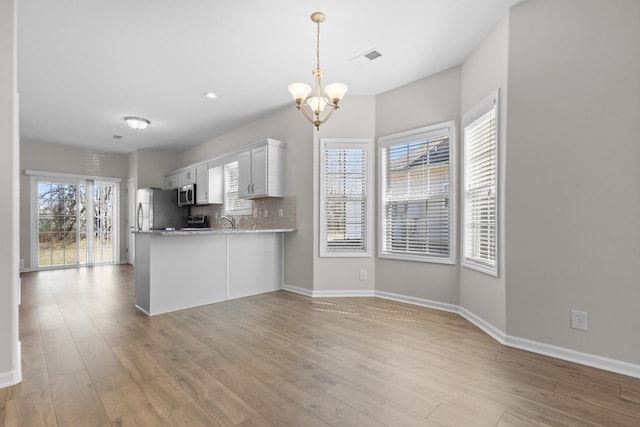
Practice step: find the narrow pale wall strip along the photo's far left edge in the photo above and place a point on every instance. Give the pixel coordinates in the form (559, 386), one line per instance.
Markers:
(9, 152)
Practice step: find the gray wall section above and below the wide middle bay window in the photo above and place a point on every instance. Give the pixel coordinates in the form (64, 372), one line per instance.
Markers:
(432, 100)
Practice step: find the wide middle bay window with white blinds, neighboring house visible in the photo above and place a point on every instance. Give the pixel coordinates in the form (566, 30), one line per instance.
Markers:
(417, 178)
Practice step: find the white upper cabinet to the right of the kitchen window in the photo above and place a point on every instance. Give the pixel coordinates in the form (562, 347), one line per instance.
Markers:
(261, 170)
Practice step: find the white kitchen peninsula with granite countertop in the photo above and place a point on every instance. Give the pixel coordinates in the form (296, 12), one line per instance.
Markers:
(179, 269)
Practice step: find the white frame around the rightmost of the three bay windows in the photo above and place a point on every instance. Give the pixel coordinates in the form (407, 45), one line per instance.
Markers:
(479, 110)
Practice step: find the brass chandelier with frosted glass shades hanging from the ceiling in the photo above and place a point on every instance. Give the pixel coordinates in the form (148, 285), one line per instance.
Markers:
(313, 104)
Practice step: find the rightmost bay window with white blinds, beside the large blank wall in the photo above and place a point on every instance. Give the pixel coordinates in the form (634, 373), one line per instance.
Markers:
(480, 228)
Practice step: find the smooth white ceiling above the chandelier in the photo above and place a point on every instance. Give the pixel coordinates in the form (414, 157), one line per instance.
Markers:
(83, 65)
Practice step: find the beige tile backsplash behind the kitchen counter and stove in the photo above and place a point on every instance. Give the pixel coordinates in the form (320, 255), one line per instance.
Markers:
(268, 213)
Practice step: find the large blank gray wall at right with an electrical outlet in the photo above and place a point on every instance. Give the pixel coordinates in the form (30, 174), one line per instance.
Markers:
(572, 185)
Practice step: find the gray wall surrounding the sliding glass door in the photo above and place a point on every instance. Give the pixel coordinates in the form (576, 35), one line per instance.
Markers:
(70, 160)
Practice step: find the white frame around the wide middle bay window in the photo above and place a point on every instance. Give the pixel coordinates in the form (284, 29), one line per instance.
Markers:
(406, 137)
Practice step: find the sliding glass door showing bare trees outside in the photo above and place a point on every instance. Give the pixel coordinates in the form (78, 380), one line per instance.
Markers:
(75, 223)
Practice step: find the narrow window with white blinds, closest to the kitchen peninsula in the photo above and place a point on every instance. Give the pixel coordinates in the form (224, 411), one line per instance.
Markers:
(344, 223)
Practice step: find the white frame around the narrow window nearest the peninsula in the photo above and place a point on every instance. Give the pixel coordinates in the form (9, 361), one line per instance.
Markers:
(365, 144)
